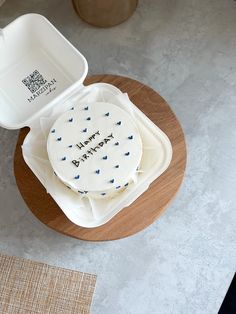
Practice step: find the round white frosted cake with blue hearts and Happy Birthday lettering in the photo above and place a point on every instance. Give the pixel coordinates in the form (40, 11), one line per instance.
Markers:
(95, 149)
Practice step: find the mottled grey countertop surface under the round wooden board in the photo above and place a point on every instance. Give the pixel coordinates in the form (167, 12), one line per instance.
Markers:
(185, 261)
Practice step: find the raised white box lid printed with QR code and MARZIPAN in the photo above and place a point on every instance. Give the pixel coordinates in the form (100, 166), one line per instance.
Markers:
(38, 67)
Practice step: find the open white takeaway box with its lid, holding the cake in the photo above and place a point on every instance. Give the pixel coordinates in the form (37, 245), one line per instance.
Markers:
(33, 52)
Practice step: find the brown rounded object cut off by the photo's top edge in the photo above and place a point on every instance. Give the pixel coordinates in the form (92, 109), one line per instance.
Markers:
(105, 13)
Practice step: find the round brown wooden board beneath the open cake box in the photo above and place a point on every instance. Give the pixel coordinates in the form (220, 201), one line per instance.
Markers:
(148, 207)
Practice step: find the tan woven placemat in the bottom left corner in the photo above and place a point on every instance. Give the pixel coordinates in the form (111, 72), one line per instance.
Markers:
(32, 287)
